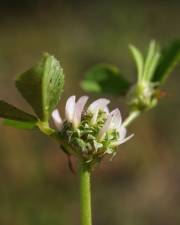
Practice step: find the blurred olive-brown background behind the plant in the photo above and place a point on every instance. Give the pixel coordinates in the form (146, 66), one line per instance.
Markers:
(142, 184)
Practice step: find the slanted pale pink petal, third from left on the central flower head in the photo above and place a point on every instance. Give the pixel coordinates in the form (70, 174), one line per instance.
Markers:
(79, 107)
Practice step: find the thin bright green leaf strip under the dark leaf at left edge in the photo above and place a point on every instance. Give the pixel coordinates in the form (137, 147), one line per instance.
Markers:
(20, 125)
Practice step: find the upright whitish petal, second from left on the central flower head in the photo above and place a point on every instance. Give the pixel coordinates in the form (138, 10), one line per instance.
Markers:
(70, 107)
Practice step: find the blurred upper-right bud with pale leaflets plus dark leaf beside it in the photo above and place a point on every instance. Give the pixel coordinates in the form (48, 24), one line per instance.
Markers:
(152, 71)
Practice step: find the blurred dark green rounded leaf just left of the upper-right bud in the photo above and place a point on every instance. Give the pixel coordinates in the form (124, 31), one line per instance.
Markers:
(105, 79)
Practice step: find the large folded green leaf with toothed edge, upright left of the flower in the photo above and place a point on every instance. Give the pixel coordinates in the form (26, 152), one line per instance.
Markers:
(42, 85)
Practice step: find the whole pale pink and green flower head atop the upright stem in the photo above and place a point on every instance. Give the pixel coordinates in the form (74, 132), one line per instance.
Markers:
(92, 132)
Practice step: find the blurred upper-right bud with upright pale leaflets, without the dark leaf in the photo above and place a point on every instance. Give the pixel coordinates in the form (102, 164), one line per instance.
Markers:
(142, 95)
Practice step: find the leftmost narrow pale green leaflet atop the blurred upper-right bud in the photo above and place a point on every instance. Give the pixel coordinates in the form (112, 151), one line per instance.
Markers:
(138, 58)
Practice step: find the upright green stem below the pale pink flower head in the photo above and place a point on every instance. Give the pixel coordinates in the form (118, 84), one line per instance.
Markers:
(85, 195)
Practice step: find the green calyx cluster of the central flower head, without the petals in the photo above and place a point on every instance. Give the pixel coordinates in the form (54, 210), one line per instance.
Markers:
(84, 141)
